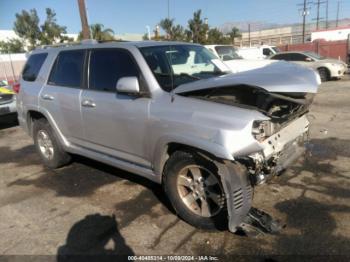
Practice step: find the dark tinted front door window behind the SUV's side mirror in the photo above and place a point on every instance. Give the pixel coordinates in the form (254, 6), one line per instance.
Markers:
(107, 66)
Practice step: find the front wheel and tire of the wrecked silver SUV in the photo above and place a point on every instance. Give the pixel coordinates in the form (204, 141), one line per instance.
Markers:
(195, 190)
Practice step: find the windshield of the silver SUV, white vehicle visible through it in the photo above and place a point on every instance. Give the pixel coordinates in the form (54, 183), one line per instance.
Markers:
(174, 65)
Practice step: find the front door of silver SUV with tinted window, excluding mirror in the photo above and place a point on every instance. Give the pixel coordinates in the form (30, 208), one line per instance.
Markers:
(114, 123)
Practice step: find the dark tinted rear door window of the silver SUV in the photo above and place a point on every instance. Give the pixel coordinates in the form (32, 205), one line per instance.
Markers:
(67, 69)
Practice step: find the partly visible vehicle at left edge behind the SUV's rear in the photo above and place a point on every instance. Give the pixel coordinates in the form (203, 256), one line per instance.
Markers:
(7, 100)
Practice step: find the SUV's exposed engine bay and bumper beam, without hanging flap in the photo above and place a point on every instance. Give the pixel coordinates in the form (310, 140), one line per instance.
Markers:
(281, 138)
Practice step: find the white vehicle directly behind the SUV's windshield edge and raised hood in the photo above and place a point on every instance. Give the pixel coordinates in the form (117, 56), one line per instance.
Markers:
(228, 54)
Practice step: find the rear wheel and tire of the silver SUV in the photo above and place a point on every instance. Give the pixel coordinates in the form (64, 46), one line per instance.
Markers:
(47, 145)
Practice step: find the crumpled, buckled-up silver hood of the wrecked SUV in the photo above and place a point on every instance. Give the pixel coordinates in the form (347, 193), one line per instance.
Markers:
(277, 77)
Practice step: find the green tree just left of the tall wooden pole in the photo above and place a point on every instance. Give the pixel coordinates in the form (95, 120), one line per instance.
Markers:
(51, 32)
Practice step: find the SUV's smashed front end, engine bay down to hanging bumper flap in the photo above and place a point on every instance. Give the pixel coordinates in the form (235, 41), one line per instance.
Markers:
(281, 140)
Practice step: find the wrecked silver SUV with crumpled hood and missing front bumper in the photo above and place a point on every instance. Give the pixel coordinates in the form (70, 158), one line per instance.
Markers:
(172, 113)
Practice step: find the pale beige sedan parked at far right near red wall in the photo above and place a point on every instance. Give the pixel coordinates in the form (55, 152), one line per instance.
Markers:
(326, 67)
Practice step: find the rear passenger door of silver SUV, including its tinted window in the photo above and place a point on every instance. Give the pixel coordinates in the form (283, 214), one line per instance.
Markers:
(60, 97)
